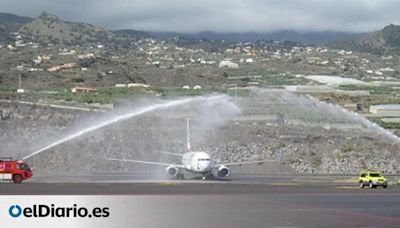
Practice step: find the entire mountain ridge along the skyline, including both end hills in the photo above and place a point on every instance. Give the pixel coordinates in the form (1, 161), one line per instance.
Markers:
(49, 28)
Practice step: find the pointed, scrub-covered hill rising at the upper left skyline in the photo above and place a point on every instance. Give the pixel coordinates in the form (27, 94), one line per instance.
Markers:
(49, 28)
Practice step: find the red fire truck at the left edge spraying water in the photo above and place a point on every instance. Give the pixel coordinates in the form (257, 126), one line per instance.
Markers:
(12, 170)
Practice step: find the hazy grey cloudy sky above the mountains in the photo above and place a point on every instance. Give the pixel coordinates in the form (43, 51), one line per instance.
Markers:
(218, 15)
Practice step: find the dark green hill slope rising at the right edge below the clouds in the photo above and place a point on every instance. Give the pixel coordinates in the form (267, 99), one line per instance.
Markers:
(385, 41)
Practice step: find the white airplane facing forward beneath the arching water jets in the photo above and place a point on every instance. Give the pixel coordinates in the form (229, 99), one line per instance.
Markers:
(196, 162)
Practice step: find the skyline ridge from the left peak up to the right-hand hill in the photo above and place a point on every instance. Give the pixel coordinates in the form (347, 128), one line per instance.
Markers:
(49, 28)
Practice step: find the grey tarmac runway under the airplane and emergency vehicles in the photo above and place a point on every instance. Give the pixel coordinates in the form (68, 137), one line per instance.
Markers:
(242, 201)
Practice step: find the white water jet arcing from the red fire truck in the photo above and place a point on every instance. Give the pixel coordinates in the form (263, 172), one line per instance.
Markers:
(124, 117)
